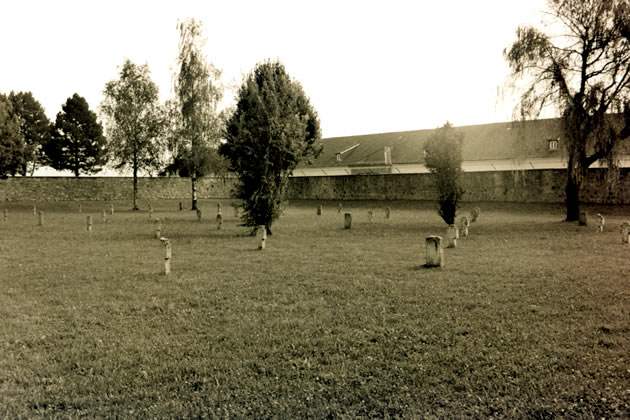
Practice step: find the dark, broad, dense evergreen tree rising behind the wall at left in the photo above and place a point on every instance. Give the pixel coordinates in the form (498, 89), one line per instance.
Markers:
(77, 141)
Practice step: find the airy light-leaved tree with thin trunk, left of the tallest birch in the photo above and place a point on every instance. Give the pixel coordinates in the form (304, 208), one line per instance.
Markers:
(135, 121)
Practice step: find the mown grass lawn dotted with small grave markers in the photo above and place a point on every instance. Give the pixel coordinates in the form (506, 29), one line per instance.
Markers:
(530, 317)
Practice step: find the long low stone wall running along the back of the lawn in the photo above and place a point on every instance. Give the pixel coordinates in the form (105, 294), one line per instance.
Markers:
(515, 186)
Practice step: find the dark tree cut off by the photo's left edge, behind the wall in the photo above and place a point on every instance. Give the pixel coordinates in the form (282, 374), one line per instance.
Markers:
(11, 139)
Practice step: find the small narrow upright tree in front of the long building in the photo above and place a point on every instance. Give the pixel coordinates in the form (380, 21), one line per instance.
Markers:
(444, 159)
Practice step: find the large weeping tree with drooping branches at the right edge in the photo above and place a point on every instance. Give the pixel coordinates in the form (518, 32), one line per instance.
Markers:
(580, 65)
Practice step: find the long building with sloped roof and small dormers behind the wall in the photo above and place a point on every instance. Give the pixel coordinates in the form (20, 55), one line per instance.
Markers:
(524, 145)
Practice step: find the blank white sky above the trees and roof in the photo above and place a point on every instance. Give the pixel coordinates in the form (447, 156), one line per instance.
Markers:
(367, 66)
